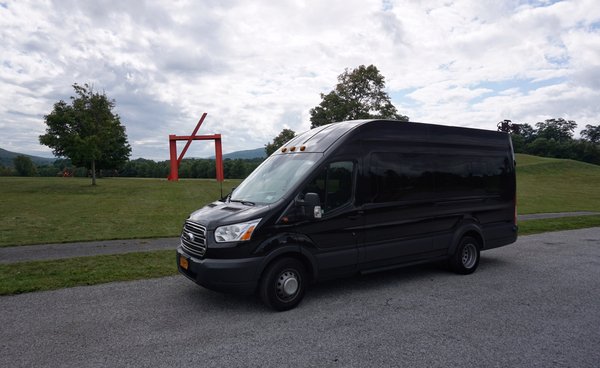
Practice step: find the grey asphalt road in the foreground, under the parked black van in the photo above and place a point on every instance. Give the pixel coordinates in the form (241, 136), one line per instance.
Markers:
(535, 303)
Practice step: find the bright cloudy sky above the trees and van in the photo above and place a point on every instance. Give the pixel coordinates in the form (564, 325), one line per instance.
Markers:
(257, 67)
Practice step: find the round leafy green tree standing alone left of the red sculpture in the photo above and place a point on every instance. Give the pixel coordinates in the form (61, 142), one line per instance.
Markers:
(87, 131)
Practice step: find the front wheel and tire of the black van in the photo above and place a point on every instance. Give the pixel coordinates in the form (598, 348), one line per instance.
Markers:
(283, 284)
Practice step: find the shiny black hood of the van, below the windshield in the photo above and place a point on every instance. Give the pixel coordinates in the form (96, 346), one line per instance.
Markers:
(220, 213)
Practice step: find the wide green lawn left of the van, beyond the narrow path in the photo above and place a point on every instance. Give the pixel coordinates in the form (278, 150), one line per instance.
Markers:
(56, 210)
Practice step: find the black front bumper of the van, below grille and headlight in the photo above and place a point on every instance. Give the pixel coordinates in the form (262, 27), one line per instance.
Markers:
(239, 276)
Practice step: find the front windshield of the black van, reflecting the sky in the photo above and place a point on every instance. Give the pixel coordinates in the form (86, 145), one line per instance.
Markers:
(274, 177)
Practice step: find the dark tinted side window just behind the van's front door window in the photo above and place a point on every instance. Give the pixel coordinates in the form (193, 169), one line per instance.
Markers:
(399, 177)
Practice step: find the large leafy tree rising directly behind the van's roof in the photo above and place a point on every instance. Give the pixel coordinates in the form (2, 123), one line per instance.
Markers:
(359, 94)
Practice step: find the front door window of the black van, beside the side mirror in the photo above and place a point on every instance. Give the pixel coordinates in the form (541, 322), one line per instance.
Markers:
(333, 185)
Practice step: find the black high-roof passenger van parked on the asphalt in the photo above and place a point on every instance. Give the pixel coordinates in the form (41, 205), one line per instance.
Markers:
(355, 196)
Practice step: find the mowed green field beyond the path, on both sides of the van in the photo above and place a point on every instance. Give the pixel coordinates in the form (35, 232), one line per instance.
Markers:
(56, 210)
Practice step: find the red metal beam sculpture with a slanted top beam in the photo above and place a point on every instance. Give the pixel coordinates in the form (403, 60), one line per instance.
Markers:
(175, 161)
